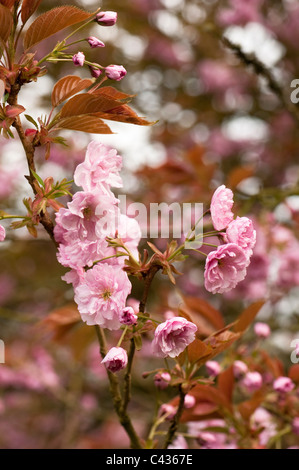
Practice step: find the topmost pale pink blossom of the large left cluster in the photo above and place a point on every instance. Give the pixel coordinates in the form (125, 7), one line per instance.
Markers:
(100, 169)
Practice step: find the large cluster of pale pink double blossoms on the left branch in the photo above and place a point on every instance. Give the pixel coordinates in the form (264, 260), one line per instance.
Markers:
(101, 286)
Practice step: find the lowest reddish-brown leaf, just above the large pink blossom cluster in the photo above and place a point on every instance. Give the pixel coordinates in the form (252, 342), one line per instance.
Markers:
(84, 123)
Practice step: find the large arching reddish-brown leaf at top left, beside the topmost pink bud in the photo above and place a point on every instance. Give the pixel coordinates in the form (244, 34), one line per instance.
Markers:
(53, 21)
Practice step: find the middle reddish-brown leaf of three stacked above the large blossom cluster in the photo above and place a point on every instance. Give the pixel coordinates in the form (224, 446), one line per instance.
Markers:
(87, 103)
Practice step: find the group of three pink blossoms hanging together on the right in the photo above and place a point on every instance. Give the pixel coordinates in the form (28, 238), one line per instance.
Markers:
(227, 265)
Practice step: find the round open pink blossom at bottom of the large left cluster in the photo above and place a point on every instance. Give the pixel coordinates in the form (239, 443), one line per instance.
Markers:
(101, 297)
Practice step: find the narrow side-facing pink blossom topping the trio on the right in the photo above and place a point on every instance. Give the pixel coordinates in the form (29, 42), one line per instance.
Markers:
(221, 205)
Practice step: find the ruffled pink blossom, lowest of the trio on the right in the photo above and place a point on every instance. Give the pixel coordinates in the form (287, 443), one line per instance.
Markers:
(225, 268)
